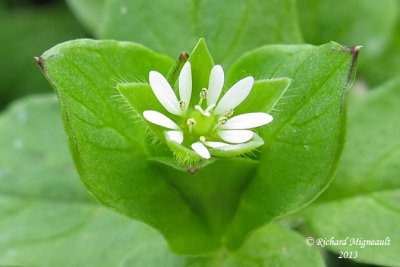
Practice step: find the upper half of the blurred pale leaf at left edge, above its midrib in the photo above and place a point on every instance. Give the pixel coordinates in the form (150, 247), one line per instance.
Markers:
(34, 152)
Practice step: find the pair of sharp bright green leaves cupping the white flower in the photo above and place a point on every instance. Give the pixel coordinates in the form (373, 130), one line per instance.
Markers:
(226, 198)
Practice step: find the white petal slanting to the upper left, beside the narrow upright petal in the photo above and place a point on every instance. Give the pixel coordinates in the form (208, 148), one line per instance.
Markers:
(164, 92)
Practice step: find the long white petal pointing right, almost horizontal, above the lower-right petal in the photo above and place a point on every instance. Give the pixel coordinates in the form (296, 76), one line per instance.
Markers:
(247, 121)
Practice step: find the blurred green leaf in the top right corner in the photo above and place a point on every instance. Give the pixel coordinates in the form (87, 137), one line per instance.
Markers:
(368, 23)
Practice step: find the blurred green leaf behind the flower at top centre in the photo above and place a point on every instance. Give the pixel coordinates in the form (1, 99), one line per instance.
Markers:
(170, 27)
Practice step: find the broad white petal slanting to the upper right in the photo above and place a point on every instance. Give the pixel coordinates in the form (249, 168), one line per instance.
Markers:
(235, 95)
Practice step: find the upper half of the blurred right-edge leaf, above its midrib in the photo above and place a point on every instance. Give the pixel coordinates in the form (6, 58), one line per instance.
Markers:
(371, 157)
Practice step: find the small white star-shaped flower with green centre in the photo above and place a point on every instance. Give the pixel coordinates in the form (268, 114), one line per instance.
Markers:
(210, 127)
